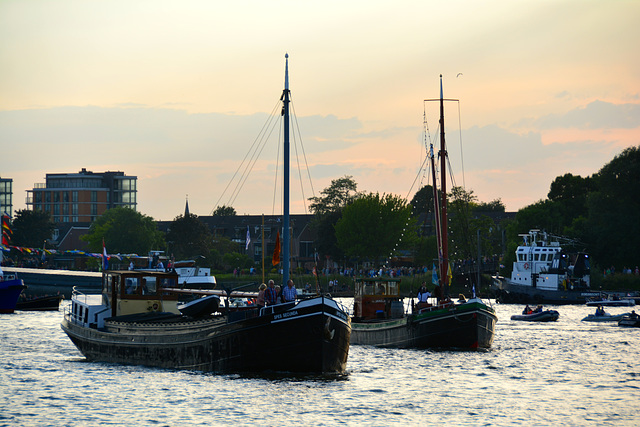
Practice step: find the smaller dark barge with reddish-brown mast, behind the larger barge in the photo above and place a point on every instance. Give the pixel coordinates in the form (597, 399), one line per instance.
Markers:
(379, 318)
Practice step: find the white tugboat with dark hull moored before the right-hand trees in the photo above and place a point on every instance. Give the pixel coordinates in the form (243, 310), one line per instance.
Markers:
(543, 273)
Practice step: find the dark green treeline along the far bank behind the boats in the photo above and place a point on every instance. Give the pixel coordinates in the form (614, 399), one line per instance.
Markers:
(600, 212)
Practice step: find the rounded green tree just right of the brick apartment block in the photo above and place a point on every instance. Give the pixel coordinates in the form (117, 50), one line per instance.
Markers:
(125, 231)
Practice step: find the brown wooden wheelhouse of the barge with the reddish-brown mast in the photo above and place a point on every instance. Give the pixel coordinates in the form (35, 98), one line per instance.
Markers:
(377, 299)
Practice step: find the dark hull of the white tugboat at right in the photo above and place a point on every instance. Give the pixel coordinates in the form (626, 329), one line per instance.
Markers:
(515, 294)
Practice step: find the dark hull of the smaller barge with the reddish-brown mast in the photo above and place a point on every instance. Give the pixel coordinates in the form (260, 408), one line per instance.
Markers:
(466, 326)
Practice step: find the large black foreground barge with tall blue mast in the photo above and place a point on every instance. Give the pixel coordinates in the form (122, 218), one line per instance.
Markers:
(136, 320)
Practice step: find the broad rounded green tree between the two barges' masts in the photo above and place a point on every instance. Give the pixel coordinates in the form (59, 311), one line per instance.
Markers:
(372, 226)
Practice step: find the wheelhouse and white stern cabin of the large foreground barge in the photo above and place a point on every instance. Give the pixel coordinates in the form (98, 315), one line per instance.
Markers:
(123, 293)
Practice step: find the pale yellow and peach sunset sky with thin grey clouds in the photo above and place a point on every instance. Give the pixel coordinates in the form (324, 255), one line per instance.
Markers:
(177, 92)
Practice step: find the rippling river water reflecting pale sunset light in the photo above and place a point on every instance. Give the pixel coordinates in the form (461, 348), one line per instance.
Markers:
(563, 373)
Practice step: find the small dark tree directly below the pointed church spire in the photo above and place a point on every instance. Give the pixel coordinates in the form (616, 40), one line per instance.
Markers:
(188, 237)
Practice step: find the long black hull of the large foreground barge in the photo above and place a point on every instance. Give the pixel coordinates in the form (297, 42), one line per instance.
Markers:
(311, 337)
